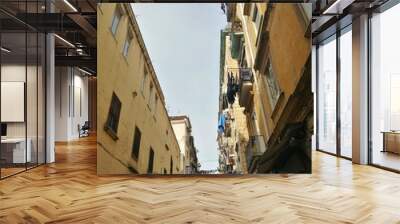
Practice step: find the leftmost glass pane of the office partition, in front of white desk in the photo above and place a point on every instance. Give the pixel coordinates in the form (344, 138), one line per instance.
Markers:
(13, 94)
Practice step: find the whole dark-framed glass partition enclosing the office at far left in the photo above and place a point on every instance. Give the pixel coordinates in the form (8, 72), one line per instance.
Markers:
(22, 91)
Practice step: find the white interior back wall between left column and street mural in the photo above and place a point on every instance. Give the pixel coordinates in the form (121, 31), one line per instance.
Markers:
(71, 102)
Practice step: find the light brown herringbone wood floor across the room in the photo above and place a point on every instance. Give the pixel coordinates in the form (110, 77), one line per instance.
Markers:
(70, 192)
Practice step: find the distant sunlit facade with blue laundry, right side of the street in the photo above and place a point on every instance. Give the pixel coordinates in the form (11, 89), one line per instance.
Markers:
(232, 135)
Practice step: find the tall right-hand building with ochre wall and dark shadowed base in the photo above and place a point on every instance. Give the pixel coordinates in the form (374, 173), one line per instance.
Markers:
(272, 48)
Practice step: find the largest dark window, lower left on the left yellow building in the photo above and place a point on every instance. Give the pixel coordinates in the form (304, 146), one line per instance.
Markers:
(113, 116)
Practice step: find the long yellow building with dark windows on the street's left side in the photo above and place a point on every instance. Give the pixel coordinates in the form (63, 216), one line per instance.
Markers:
(134, 131)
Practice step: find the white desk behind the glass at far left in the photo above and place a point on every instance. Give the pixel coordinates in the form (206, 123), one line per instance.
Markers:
(13, 150)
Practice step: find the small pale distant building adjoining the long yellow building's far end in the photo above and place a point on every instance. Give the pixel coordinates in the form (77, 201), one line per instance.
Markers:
(188, 152)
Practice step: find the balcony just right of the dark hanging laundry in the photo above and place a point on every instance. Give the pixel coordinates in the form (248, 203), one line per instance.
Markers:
(245, 88)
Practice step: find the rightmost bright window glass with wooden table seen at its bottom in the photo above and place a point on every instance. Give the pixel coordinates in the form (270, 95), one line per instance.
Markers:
(385, 89)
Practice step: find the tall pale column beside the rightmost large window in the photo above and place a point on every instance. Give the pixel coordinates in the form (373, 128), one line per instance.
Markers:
(360, 90)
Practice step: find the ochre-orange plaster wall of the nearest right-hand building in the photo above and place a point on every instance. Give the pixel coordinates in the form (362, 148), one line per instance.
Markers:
(289, 50)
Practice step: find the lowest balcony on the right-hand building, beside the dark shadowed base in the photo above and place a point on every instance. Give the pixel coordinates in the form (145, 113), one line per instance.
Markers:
(255, 148)
